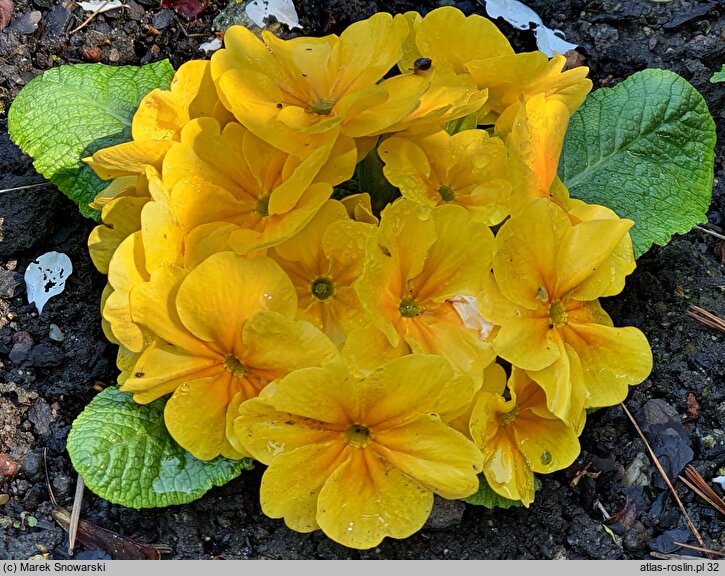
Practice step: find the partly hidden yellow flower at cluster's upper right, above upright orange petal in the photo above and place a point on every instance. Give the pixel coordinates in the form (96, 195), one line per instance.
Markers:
(513, 78)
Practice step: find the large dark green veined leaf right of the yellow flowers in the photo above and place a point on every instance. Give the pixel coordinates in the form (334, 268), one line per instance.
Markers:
(645, 149)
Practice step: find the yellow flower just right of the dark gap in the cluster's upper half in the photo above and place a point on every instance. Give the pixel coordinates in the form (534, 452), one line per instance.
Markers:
(468, 169)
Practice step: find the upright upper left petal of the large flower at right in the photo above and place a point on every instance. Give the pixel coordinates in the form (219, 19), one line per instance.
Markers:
(524, 261)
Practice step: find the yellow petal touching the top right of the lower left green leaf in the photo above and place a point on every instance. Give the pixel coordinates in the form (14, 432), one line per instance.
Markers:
(195, 415)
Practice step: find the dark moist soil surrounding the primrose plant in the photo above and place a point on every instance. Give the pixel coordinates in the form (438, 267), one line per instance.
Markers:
(46, 381)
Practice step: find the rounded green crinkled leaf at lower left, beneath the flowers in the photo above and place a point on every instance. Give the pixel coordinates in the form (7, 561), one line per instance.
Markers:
(124, 454)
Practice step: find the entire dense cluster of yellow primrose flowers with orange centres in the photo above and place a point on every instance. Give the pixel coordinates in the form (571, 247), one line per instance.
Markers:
(370, 358)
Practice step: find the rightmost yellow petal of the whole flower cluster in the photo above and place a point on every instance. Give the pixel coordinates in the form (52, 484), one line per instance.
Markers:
(612, 360)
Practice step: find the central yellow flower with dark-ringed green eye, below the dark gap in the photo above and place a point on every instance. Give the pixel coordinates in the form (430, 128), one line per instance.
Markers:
(323, 261)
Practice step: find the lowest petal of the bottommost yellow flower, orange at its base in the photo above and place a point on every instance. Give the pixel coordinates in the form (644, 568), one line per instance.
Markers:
(387, 502)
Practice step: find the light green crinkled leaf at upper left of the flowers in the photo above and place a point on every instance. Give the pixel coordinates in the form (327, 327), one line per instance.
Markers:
(69, 112)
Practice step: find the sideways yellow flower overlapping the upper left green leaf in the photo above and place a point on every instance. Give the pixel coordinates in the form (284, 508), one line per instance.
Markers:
(158, 121)
